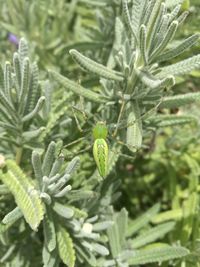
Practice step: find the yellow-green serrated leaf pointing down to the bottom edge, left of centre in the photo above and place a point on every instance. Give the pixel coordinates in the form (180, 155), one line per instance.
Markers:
(65, 247)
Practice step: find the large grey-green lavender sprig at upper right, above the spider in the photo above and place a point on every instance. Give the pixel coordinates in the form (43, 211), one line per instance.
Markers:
(139, 84)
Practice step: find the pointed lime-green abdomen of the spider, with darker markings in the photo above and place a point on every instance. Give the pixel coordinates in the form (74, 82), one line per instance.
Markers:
(100, 152)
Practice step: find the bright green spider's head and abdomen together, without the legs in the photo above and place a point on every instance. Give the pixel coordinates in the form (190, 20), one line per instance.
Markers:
(100, 147)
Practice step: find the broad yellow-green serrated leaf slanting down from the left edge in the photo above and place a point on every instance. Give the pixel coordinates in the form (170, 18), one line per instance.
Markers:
(26, 196)
